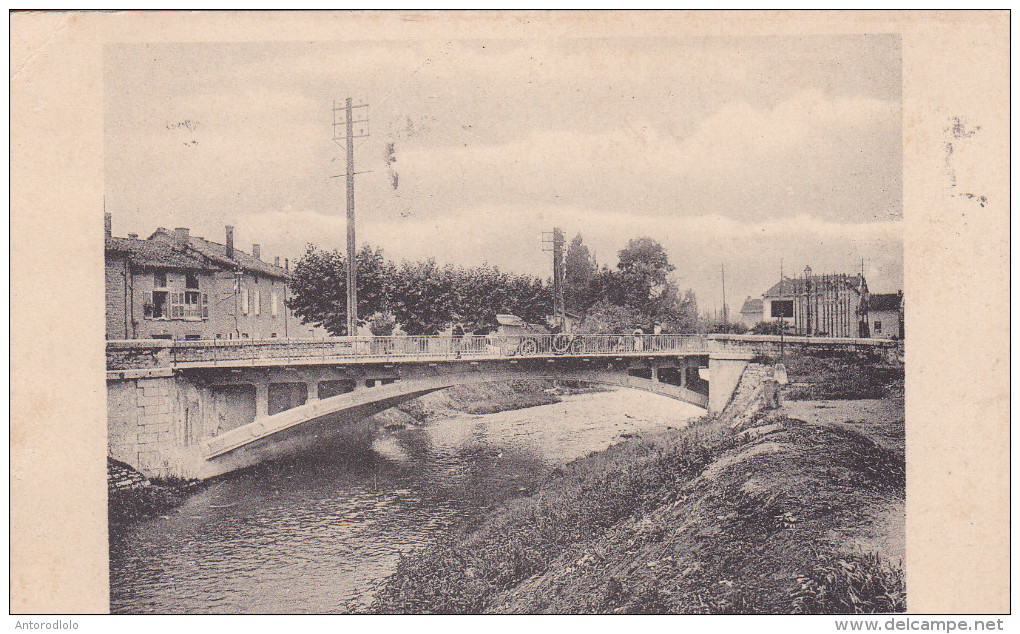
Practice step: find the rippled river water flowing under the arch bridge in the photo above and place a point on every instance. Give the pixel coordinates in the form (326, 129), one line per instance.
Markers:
(320, 534)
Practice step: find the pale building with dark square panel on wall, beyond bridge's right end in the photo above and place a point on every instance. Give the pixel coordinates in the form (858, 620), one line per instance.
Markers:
(821, 305)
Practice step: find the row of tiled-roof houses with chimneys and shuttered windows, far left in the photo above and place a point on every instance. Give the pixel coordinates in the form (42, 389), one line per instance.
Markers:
(174, 286)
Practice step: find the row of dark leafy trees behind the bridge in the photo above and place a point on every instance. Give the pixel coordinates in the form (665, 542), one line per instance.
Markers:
(426, 298)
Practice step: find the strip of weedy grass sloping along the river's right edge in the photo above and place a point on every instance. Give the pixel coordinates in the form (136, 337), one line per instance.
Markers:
(457, 576)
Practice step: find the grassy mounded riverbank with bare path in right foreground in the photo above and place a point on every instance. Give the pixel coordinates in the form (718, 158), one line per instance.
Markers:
(785, 516)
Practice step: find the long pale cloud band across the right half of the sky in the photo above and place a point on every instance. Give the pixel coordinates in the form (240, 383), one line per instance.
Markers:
(834, 157)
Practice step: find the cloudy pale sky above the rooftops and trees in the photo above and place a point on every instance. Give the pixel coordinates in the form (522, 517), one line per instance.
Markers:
(756, 154)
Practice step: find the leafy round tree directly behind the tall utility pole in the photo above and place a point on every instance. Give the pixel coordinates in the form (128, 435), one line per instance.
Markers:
(320, 287)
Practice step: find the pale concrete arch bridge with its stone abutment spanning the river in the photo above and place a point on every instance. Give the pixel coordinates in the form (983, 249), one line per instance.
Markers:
(199, 409)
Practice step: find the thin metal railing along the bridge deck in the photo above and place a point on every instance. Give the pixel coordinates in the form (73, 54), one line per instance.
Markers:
(234, 351)
